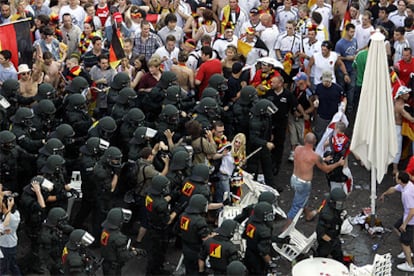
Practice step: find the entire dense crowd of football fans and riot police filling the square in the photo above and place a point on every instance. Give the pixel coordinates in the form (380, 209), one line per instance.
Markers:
(183, 106)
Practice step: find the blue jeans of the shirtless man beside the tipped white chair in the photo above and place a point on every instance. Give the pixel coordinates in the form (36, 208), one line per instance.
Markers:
(302, 191)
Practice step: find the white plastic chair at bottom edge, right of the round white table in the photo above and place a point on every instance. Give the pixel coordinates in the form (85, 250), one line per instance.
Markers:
(382, 266)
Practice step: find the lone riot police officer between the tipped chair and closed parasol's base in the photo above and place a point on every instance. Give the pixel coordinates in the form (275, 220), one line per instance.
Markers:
(329, 225)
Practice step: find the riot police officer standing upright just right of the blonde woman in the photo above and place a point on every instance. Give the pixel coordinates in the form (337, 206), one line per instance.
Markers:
(260, 131)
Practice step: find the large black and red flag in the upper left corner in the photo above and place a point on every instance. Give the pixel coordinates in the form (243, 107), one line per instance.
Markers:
(15, 37)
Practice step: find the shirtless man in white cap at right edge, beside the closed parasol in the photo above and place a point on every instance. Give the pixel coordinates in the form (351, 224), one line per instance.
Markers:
(402, 95)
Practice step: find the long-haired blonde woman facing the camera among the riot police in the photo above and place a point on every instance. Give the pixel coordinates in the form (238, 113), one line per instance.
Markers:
(234, 155)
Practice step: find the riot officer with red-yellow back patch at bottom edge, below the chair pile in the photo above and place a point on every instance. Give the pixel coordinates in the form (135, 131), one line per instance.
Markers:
(219, 249)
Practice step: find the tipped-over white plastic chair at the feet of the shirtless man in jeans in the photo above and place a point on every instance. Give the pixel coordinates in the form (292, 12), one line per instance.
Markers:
(299, 243)
